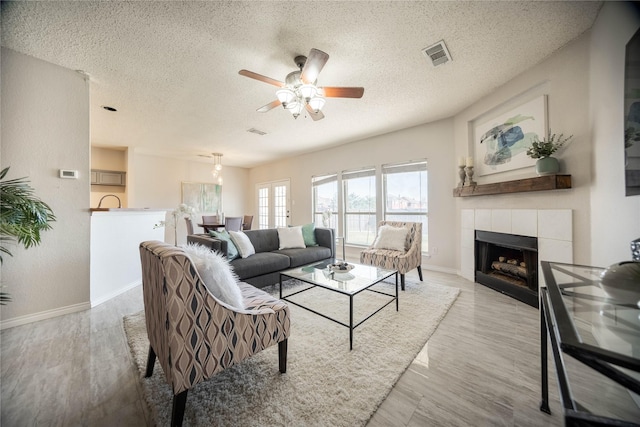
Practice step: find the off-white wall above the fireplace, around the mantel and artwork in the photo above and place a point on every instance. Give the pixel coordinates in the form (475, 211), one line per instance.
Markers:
(564, 78)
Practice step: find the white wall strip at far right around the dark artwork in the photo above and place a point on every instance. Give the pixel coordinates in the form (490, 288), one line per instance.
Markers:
(615, 219)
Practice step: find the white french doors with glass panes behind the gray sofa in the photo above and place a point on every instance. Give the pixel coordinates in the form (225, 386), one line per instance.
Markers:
(274, 204)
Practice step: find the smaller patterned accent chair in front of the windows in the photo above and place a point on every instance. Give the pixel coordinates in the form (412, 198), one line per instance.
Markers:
(402, 261)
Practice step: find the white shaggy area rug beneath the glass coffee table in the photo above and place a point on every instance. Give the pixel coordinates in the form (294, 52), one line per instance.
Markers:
(325, 384)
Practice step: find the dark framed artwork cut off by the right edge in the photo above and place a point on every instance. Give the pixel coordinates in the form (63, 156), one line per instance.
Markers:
(632, 117)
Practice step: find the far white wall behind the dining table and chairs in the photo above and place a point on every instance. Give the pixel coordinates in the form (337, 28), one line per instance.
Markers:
(155, 182)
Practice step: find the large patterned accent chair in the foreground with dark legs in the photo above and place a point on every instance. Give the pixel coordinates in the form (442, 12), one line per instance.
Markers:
(194, 335)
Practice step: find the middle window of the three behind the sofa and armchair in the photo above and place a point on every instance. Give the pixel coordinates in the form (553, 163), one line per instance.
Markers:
(359, 206)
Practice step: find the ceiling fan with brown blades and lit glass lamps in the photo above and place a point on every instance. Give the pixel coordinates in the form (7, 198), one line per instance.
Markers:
(299, 90)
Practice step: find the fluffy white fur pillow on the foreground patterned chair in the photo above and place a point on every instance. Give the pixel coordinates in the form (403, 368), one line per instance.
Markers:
(216, 273)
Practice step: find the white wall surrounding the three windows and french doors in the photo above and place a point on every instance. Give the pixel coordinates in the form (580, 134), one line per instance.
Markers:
(433, 141)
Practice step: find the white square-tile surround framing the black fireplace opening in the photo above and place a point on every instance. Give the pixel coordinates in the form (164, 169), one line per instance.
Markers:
(552, 227)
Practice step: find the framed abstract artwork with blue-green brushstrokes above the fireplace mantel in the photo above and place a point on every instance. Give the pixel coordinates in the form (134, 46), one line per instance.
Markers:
(501, 142)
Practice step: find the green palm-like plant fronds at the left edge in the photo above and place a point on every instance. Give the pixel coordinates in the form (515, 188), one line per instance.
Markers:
(22, 217)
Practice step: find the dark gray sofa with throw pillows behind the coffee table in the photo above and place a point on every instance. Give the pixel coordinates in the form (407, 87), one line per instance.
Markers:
(263, 268)
